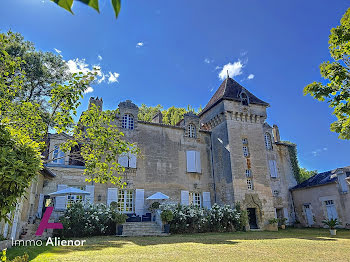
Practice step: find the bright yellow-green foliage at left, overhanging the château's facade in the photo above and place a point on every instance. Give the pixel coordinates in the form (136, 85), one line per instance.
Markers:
(24, 128)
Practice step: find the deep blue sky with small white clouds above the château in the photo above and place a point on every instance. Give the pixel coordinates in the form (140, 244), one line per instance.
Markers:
(172, 52)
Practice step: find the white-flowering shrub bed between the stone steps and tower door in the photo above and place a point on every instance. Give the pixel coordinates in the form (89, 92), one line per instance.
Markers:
(192, 219)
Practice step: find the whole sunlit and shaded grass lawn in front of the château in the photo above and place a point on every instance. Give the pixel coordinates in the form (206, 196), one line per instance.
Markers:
(284, 245)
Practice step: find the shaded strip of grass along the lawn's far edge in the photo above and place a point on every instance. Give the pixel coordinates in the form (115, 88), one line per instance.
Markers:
(103, 242)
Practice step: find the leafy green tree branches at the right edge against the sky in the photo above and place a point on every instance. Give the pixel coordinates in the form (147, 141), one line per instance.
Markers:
(336, 90)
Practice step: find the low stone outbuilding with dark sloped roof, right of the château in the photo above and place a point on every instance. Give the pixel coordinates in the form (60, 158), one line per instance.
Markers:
(324, 196)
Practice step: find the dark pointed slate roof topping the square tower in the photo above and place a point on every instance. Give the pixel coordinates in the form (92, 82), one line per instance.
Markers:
(231, 90)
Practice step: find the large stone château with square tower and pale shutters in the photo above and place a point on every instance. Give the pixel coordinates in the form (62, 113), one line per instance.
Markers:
(226, 154)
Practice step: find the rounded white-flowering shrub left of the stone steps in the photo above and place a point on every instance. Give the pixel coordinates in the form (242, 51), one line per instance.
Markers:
(87, 220)
